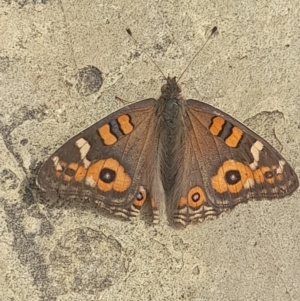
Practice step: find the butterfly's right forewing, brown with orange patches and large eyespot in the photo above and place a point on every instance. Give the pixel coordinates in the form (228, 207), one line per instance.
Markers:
(239, 164)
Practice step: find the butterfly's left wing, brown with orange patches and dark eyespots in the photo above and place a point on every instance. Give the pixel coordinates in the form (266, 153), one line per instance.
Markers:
(104, 162)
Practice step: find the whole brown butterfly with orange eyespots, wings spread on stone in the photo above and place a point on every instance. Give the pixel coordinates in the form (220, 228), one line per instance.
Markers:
(182, 155)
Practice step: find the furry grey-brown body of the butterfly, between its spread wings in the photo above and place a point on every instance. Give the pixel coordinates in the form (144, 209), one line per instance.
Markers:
(171, 136)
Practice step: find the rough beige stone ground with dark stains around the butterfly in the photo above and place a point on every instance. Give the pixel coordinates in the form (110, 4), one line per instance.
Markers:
(50, 54)
